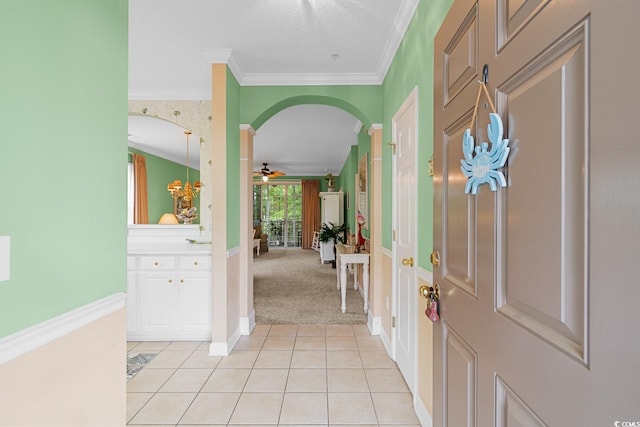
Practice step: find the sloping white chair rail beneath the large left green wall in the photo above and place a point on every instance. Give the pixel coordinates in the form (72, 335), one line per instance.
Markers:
(29, 339)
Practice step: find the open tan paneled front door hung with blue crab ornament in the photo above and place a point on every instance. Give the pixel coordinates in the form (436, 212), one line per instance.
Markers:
(538, 281)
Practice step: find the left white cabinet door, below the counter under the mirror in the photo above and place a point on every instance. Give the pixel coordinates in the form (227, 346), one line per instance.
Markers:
(158, 298)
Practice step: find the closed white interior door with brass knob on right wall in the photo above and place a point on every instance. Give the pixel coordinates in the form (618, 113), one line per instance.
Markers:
(405, 292)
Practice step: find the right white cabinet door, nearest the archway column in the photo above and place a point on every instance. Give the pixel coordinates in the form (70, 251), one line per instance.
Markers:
(195, 303)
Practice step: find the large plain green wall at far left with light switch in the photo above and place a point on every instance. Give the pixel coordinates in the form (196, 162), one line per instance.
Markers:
(64, 109)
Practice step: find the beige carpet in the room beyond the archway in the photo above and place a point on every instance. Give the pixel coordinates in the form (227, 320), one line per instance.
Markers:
(292, 286)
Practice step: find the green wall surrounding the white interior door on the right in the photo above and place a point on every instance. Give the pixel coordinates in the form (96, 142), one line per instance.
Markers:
(413, 66)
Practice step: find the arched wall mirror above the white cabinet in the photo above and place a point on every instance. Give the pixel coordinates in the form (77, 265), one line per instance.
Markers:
(164, 146)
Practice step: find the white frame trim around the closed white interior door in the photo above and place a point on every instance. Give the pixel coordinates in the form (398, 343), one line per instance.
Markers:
(411, 98)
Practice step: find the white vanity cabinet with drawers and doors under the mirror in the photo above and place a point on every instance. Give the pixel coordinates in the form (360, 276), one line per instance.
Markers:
(169, 297)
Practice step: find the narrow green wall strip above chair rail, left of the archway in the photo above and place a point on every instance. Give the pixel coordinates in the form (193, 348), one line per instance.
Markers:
(233, 161)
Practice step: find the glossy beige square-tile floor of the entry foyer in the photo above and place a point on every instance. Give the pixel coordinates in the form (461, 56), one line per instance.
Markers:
(281, 375)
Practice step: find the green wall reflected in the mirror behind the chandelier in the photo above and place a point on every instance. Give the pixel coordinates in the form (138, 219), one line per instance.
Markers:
(159, 173)
